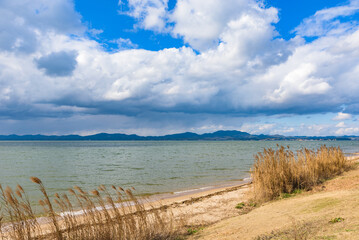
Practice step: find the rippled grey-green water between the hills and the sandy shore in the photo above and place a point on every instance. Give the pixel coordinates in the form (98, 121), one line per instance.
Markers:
(149, 166)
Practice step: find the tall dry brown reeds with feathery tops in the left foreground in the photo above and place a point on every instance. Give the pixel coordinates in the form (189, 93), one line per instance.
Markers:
(112, 213)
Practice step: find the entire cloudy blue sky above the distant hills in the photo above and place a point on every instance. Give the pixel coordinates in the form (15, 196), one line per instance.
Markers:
(159, 67)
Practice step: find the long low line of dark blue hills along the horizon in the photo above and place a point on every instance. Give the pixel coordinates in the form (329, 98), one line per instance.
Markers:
(215, 136)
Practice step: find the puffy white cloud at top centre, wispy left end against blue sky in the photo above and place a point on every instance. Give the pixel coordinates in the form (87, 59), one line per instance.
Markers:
(205, 23)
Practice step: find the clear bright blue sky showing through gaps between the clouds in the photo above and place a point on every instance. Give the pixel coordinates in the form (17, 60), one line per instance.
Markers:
(115, 25)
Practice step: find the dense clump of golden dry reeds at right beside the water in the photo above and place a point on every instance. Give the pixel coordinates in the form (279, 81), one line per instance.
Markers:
(282, 171)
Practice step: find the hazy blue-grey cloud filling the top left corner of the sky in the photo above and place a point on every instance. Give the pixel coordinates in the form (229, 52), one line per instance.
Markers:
(22, 21)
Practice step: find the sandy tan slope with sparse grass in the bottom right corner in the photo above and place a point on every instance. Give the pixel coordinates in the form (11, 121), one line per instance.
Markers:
(330, 211)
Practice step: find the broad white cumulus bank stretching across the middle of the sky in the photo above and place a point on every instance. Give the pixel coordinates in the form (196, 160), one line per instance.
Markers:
(234, 77)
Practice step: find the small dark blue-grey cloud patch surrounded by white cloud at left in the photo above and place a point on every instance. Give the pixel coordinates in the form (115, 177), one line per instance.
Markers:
(58, 64)
